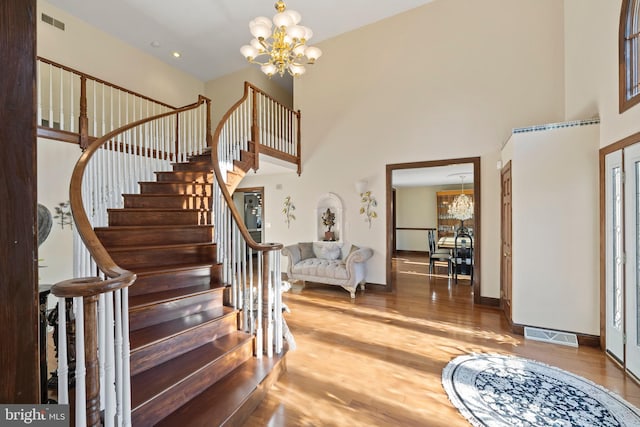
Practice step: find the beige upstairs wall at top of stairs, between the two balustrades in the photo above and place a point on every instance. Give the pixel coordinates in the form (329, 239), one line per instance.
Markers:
(226, 90)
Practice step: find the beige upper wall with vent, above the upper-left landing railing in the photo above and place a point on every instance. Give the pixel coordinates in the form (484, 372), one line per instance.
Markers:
(92, 51)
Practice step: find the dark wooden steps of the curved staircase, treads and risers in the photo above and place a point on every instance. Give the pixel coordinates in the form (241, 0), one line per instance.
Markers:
(187, 352)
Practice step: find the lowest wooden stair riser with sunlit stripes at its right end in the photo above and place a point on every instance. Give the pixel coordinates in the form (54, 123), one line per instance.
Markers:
(158, 217)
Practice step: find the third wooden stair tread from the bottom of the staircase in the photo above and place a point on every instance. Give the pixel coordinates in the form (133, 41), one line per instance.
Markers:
(152, 334)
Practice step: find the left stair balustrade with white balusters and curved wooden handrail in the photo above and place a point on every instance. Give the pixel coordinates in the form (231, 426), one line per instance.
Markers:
(111, 166)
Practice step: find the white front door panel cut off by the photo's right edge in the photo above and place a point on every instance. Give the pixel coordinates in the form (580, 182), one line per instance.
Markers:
(632, 270)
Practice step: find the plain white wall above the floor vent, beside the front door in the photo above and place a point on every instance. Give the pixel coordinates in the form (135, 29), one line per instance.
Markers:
(555, 229)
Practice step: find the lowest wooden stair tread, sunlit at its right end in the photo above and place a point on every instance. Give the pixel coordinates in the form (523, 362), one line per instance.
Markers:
(218, 404)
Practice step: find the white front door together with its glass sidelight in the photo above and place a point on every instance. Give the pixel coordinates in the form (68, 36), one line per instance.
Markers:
(622, 181)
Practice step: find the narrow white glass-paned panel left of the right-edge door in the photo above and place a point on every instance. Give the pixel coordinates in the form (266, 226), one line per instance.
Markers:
(614, 256)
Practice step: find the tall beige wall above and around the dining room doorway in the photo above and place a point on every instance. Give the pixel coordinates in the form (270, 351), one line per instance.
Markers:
(451, 84)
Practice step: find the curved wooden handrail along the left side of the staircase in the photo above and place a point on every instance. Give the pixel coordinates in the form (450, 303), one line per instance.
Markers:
(84, 227)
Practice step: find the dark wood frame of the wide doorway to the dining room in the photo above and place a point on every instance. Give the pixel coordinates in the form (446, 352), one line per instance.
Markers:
(392, 243)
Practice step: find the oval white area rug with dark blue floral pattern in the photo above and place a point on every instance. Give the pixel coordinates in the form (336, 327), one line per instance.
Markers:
(495, 390)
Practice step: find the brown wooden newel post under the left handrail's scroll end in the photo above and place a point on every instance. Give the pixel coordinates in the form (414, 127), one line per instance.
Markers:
(91, 360)
